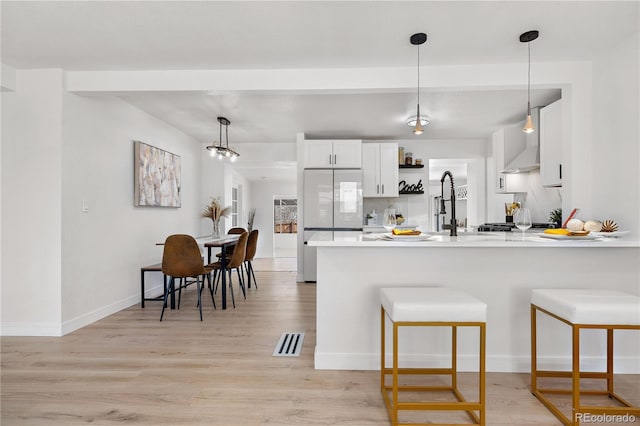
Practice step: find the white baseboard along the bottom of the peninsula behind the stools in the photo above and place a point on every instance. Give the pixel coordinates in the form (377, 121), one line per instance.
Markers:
(494, 363)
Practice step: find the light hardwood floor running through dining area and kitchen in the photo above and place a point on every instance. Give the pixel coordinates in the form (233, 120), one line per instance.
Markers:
(131, 368)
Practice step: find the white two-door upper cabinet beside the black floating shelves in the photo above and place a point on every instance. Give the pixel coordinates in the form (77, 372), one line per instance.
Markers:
(380, 169)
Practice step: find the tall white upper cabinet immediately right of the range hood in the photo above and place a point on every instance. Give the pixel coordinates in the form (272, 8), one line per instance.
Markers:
(551, 144)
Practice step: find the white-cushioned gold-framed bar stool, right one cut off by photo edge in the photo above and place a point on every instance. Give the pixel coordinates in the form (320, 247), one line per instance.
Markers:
(584, 309)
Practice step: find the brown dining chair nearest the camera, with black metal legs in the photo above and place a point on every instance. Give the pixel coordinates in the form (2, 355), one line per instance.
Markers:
(182, 259)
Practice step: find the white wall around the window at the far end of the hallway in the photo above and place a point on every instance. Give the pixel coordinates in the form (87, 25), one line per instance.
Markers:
(262, 200)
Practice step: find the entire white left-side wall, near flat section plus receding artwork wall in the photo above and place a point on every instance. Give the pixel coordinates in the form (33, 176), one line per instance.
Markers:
(64, 268)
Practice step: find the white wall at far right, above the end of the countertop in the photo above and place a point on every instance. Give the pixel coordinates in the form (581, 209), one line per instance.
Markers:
(616, 135)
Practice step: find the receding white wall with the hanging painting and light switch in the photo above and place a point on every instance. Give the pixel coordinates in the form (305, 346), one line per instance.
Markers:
(104, 248)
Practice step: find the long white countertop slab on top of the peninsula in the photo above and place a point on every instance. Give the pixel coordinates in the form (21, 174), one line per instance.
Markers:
(464, 239)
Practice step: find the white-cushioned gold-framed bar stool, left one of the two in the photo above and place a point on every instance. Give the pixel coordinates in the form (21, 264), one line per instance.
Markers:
(431, 307)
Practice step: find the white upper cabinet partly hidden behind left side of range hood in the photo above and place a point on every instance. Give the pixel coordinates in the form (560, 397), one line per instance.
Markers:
(507, 143)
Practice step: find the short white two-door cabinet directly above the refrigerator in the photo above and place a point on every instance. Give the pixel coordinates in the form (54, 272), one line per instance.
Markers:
(332, 154)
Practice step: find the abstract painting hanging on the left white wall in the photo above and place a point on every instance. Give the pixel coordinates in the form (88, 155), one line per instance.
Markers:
(156, 177)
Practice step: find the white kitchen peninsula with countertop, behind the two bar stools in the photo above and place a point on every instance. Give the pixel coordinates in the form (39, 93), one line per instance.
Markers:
(498, 268)
